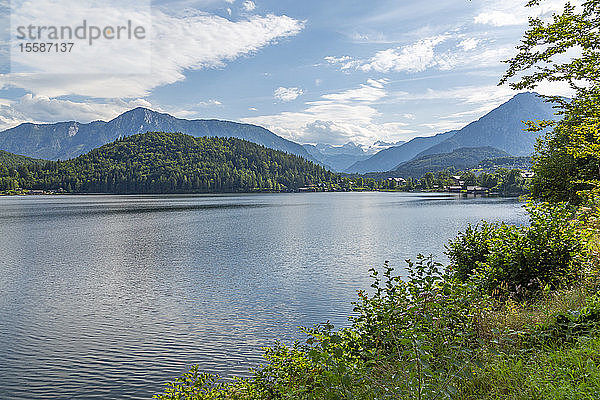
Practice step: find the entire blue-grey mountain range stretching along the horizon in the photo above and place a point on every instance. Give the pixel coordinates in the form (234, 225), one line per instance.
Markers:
(501, 129)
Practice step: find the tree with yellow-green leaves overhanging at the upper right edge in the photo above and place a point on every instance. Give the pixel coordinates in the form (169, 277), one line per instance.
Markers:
(567, 158)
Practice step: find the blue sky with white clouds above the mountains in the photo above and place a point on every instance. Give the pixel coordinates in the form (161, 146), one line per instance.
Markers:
(312, 71)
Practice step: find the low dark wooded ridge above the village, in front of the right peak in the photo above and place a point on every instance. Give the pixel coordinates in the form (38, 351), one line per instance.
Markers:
(461, 159)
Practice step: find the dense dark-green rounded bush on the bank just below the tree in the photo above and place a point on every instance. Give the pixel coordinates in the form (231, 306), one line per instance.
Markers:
(511, 261)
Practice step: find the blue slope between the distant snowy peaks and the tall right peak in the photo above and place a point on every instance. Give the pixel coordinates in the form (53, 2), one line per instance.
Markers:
(389, 158)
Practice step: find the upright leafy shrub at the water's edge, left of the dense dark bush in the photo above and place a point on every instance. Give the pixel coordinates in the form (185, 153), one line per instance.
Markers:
(422, 327)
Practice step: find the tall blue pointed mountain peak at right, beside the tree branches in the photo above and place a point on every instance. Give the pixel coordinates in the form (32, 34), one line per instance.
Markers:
(501, 128)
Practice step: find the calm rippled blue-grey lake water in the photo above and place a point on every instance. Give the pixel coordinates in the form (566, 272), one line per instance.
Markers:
(112, 296)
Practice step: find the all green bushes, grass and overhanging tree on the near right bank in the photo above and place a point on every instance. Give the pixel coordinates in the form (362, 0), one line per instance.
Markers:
(516, 312)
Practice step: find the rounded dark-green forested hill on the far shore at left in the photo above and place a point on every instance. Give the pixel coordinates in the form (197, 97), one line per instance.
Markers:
(157, 162)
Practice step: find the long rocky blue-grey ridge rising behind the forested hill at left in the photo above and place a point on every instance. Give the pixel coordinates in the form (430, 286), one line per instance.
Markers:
(65, 140)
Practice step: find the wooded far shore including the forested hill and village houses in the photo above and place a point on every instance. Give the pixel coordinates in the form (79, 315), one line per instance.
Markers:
(174, 163)
